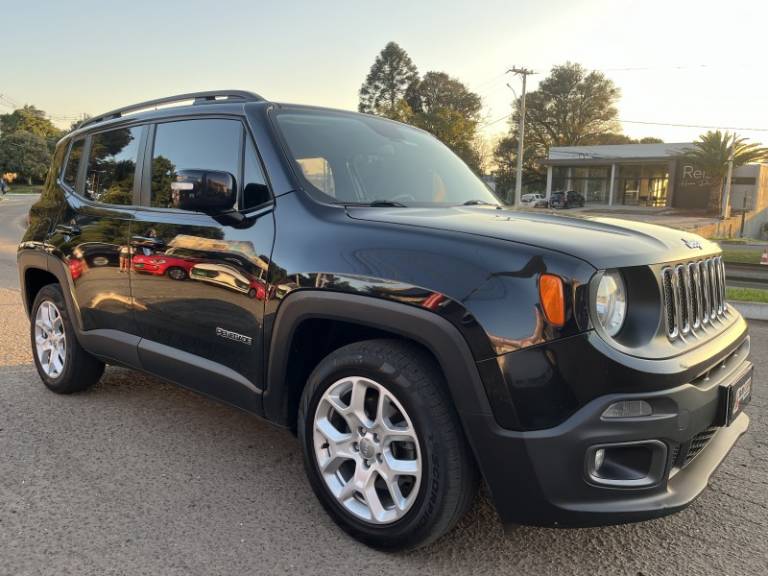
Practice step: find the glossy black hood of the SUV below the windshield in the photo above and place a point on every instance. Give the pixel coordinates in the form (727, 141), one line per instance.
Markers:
(603, 242)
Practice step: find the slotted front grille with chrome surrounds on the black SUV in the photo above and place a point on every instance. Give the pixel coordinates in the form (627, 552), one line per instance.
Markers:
(694, 296)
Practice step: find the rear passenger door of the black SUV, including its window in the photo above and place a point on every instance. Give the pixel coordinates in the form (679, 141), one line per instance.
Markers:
(102, 191)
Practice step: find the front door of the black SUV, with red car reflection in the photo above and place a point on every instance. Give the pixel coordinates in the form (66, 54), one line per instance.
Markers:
(199, 282)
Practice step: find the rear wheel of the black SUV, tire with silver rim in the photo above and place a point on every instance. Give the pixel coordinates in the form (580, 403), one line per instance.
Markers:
(69, 368)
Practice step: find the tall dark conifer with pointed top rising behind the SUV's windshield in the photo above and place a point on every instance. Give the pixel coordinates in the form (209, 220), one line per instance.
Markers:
(384, 89)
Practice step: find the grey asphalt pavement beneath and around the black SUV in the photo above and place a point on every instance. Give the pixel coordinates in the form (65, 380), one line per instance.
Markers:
(139, 477)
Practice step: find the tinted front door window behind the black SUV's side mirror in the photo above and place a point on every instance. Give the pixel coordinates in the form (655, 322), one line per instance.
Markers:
(193, 145)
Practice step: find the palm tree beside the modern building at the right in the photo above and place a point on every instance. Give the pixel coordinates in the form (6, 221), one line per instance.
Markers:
(711, 153)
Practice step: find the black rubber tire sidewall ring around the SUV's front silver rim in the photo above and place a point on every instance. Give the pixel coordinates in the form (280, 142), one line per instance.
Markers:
(416, 523)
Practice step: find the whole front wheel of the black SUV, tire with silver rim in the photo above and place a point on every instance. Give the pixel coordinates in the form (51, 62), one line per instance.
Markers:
(434, 499)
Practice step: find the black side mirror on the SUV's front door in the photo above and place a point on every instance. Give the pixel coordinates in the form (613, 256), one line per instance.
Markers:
(207, 191)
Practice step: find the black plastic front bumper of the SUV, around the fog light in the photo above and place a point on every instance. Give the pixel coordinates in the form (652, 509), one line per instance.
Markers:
(541, 477)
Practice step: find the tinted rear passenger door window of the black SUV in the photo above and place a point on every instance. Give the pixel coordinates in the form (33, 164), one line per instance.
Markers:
(112, 166)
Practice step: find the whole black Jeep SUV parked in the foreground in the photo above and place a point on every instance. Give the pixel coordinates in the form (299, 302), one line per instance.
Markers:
(349, 278)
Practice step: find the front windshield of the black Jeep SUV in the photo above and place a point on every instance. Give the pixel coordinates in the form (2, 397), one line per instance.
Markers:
(352, 159)
